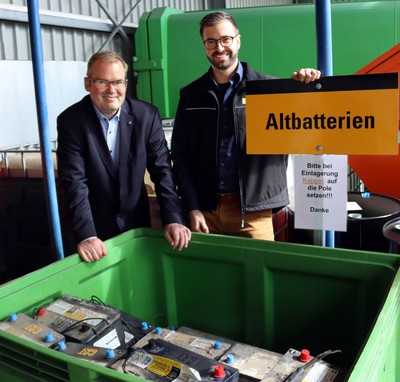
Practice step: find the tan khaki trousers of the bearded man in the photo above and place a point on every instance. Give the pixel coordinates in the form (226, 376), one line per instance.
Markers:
(227, 219)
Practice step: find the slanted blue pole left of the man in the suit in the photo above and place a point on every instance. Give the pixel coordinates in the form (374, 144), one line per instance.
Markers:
(44, 136)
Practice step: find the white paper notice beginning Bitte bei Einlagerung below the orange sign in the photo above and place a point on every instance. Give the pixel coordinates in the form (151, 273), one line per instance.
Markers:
(320, 192)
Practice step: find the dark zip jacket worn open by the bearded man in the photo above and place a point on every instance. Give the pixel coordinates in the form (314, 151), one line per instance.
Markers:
(262, 178)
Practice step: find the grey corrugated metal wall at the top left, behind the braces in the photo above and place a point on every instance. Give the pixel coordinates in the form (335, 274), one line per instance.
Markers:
(78, 43)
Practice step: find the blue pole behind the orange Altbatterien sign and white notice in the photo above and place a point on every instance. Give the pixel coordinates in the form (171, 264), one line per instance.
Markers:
(325, 65)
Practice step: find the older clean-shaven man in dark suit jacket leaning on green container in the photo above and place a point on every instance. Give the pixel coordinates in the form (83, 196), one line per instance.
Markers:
(105, 143)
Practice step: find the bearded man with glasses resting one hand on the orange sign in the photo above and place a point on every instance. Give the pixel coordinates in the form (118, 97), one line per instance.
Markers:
(224, 189)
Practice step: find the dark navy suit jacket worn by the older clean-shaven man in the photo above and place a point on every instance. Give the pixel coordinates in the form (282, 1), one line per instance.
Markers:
(104, 199)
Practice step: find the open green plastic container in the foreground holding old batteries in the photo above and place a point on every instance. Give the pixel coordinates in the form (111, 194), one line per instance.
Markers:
(273, 295)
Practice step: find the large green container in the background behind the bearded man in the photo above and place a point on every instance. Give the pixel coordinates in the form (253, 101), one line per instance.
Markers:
(276, 40)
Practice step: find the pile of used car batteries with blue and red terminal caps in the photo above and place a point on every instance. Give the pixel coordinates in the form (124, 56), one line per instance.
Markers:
(104, 335)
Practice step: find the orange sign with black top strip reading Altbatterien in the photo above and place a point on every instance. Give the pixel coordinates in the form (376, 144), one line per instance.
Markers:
(336, 115)
